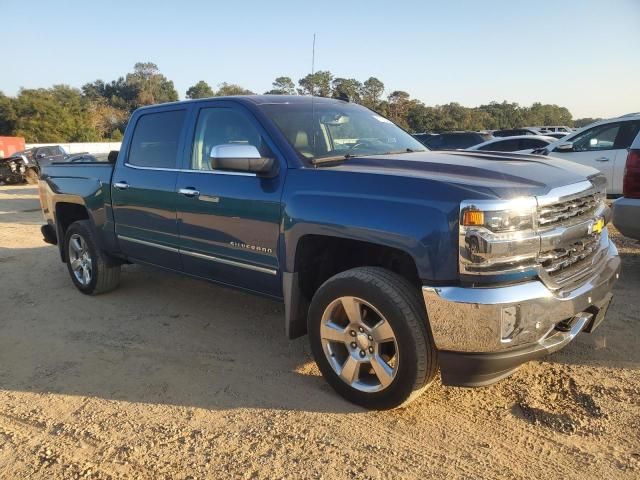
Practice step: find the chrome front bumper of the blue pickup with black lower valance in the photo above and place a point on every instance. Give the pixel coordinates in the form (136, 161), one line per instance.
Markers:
(467, 329)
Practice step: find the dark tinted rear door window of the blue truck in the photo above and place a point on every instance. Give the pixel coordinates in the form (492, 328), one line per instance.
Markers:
(155, 139)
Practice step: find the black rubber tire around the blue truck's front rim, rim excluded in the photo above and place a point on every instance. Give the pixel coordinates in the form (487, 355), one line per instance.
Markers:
(402, 306)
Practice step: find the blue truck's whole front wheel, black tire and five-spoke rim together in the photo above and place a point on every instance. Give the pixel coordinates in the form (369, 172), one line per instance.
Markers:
(369, 336)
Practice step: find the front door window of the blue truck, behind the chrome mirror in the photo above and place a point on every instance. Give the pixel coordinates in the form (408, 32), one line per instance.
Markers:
(221, 126)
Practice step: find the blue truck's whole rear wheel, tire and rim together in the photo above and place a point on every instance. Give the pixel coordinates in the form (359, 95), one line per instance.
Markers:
(92, 272)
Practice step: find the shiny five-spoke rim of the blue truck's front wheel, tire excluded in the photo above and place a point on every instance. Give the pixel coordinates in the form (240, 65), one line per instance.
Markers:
(359, 344)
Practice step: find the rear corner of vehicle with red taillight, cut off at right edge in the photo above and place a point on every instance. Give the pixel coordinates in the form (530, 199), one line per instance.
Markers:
(626, 210)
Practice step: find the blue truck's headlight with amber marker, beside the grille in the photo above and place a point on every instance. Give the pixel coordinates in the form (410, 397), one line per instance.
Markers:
(498, 235)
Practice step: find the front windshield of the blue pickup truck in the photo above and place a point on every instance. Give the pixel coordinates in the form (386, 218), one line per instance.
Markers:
(338, 130)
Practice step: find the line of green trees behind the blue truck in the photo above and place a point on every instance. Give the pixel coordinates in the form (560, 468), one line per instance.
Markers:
(100, 110)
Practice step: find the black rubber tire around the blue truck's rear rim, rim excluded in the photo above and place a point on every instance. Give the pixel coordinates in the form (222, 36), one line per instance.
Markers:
(105, 274)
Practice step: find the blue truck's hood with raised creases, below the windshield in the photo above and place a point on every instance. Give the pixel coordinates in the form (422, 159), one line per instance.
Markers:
(503, 175)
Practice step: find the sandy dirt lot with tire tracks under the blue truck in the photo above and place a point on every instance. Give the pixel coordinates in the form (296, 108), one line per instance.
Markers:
(169, 377)
